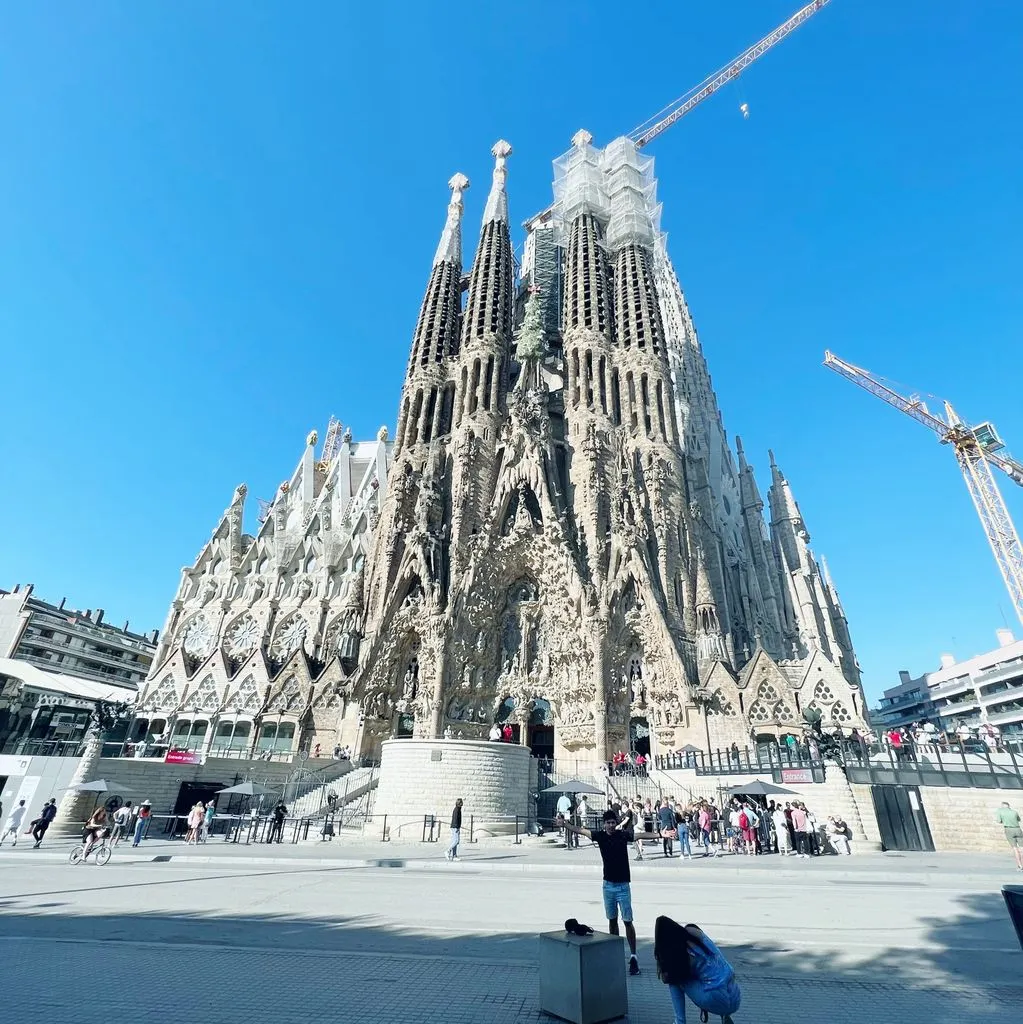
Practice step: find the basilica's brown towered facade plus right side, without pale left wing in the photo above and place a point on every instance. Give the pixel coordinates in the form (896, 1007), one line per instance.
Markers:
(567, 540)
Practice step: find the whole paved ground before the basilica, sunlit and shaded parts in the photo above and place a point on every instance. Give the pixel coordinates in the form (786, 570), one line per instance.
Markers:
(228, 935)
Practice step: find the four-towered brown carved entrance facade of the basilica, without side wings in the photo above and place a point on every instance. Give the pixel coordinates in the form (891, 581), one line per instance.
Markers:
(506, 583)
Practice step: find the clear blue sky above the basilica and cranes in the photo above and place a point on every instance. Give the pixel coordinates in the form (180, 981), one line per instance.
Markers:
(217, 223)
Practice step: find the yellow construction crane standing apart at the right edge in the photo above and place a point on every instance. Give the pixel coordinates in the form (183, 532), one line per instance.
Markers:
(977, 449)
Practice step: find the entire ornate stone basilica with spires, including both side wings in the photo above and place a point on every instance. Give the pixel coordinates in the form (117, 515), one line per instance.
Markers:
(559, 537)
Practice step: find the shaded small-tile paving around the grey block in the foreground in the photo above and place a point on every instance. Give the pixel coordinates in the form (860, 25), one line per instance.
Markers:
(44, 980)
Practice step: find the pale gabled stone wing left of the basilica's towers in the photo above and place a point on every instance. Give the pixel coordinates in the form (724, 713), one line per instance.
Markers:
(265, 630)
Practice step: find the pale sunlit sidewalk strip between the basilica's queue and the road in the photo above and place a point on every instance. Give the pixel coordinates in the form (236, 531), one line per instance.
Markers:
(503, 857)
